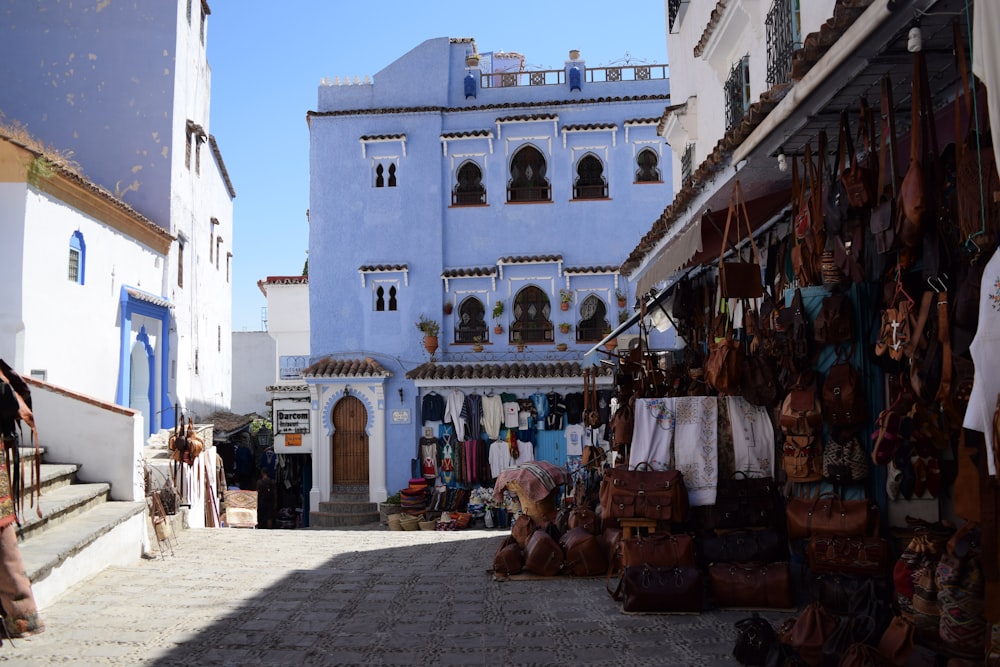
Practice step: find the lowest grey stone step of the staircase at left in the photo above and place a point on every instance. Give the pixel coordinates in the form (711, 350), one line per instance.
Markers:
(43, 551)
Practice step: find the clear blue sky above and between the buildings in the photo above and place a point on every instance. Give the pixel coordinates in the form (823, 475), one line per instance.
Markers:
(268, 57)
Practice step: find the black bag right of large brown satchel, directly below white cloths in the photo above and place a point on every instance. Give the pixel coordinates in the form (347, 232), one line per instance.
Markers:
(745, 502)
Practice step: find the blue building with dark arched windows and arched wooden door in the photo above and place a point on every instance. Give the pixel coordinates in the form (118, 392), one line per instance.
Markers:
(455, 187)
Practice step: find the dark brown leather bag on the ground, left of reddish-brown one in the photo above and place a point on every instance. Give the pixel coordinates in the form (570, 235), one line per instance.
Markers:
(662, 590)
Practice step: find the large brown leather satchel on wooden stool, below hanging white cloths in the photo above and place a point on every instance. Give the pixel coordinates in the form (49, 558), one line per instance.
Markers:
(649, 494)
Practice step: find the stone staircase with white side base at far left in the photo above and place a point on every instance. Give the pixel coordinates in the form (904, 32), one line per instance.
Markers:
(80, 532)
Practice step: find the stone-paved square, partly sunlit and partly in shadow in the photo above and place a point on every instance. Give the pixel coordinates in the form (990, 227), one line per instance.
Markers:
(353, 597)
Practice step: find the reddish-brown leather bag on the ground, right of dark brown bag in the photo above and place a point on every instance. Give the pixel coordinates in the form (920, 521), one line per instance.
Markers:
(764, 585)
